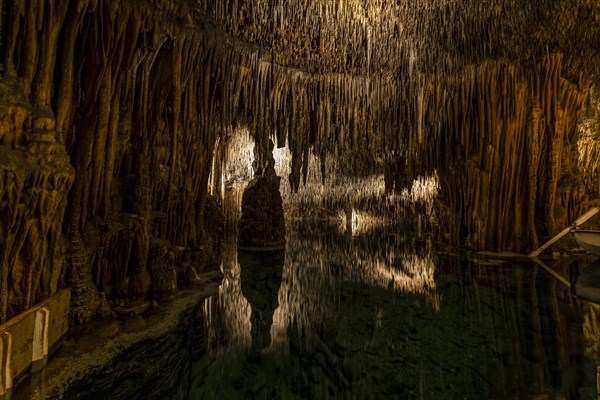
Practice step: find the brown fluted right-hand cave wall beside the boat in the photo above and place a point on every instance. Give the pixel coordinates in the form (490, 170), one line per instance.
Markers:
(506, 152)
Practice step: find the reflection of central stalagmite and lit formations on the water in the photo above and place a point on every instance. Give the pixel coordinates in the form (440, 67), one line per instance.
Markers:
(301, 285)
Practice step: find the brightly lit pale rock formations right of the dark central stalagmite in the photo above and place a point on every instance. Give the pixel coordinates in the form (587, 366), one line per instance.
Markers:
(363, 195)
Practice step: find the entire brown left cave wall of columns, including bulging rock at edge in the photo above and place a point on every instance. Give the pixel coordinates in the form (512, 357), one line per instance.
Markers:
(107, 133)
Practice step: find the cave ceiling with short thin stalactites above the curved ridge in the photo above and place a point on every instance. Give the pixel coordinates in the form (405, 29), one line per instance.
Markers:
(367, 37)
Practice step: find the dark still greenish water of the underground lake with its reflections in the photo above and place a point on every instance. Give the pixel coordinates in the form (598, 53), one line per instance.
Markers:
(381, 315)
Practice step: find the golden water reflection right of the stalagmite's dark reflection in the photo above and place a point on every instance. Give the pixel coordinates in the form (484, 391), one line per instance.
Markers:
(318, 266)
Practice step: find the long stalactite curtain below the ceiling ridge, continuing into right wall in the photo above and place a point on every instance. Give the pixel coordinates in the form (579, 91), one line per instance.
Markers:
(493, 119)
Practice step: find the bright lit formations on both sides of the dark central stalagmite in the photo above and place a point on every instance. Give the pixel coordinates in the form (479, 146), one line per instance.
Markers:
(358, 203)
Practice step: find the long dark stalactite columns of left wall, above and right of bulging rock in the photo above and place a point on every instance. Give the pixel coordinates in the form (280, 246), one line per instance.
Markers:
(109, 74)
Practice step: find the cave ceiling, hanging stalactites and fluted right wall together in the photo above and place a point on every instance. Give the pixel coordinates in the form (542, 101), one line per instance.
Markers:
(487, 94)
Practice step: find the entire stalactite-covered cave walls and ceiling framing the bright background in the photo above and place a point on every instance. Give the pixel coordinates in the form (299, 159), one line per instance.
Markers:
(114, 115)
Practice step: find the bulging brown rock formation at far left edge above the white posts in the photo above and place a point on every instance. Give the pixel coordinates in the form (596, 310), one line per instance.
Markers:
(35, 178)
